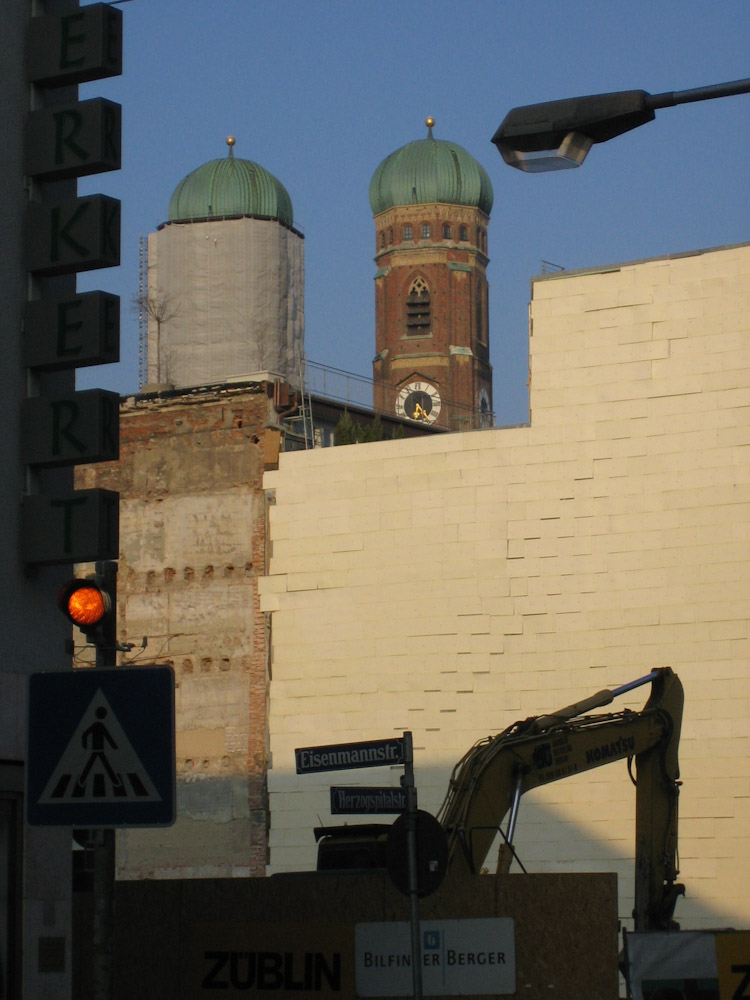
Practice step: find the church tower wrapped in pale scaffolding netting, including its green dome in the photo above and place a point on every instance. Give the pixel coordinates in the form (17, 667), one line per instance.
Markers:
(225, 277)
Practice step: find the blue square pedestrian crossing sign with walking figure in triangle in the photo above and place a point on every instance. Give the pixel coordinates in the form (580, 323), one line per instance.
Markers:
(101, 748)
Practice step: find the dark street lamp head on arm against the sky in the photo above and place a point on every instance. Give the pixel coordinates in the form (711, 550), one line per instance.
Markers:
(558, 134)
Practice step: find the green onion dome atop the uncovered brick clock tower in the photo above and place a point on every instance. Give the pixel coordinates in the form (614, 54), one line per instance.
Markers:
(427, 171)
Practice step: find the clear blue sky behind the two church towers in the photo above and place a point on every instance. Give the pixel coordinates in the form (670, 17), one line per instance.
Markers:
(320, 91)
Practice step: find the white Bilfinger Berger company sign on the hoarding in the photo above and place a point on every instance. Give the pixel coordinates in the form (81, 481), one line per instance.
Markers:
(459, 957)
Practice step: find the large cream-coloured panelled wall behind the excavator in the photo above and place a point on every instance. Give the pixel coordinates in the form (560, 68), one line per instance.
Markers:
(451, 585)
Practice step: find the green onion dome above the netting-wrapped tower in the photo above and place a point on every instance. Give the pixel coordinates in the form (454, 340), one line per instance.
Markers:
(230, 188)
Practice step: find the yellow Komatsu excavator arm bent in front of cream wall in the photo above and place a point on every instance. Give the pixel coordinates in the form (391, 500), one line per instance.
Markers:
(488, 782)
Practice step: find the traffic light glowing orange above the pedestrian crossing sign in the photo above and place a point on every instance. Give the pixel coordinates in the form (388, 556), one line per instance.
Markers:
(90, 604)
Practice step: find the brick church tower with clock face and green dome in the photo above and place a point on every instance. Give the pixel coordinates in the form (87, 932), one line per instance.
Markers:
(431, 201)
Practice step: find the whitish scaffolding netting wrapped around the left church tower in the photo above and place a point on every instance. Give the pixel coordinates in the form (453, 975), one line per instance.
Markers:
(225, 299)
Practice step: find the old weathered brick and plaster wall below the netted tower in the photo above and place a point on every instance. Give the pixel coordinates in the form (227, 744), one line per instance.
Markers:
(192, 538)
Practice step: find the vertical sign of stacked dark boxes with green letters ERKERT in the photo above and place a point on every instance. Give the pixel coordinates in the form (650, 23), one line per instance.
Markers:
(70, 140)
